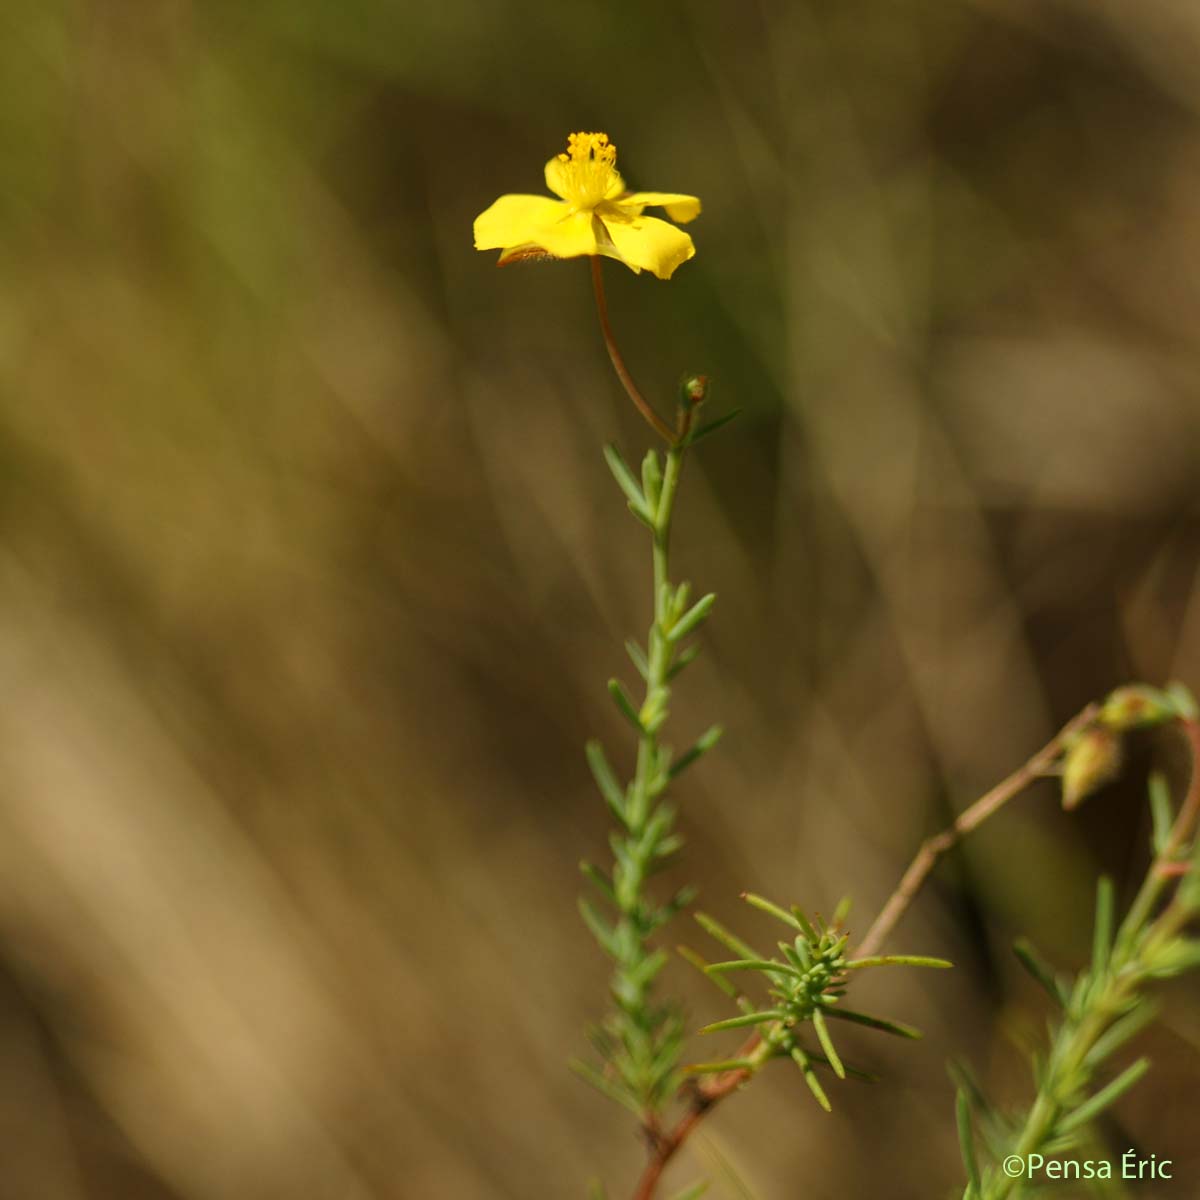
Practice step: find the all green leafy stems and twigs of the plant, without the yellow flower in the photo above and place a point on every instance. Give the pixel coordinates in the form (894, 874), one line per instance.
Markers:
(640, 1043)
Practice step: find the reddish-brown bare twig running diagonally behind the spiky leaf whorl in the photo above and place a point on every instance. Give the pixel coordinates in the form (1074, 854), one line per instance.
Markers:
(712, 1091)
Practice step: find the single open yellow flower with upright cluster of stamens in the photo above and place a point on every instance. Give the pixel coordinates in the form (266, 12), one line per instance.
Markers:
(595, 215)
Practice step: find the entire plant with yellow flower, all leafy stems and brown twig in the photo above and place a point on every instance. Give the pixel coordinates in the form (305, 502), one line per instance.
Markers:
(640, 1043)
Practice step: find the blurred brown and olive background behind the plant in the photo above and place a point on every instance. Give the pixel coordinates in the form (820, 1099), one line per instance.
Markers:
(311, 573)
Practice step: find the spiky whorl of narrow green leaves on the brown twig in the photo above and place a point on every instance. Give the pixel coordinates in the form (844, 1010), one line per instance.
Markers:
(806, 986)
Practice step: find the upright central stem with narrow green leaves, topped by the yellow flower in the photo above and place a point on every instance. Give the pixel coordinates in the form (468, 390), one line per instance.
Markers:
(640, 1043)
